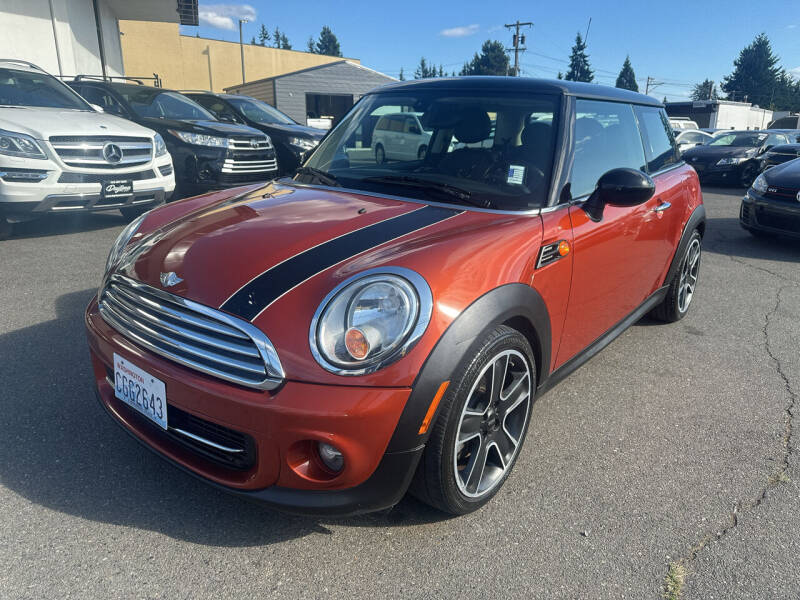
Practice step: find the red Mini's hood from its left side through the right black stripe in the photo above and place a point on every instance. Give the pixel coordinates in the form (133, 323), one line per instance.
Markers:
(226, 253)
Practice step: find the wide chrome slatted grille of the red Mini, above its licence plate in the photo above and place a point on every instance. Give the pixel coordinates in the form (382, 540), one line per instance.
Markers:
(191, 334)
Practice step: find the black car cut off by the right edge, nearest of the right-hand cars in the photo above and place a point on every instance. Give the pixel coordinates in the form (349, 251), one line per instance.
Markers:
(772, 205)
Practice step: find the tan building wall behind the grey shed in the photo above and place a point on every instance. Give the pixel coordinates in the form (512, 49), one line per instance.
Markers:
(186, 62)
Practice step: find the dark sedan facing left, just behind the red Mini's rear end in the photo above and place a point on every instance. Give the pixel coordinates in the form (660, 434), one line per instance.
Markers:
(733, 157)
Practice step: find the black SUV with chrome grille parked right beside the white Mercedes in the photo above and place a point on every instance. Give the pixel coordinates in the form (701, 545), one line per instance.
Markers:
(207, 153)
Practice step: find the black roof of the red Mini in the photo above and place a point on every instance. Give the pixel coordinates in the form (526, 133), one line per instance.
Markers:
(524, 84)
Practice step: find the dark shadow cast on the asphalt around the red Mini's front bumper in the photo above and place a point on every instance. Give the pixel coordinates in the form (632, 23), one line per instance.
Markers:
(62, 451)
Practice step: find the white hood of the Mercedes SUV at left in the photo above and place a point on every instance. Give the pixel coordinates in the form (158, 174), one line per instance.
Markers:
(42, 123)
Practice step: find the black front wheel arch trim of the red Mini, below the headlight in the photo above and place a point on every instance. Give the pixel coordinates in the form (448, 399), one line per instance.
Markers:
(515, 304)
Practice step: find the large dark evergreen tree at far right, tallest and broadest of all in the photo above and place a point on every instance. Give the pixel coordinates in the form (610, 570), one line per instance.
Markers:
(755, 73)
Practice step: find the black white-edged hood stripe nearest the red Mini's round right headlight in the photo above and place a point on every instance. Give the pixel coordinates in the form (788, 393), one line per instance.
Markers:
(249, 301)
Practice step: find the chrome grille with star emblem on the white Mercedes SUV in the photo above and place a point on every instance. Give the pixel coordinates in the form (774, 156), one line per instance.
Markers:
(88, 152)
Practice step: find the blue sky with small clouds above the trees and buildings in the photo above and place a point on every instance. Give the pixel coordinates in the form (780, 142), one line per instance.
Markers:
(677, 44)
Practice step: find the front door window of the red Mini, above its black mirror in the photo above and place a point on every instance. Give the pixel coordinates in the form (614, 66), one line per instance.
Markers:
(606, 137)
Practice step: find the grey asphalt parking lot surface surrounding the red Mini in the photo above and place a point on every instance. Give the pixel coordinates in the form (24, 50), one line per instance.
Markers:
(670, 455)
